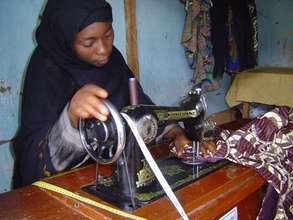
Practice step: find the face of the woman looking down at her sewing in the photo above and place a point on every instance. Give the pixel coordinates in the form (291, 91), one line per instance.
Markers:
(94, 43)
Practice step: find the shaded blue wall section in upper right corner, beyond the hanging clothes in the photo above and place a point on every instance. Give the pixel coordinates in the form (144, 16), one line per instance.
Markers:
(275, 32)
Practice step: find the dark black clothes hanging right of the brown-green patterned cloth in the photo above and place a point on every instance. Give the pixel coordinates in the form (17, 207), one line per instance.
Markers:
(234, 35)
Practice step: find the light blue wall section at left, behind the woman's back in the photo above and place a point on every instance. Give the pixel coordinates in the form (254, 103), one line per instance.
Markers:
(17, 21)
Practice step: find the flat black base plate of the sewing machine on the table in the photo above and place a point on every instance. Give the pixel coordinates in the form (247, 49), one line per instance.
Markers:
(176, 173)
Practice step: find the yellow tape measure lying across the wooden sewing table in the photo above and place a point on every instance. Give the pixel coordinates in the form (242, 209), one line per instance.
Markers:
(65, 192)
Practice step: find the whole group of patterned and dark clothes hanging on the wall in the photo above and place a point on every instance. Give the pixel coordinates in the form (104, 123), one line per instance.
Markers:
(219, 36)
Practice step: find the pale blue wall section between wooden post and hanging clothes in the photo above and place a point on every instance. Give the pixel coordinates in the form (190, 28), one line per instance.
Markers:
(164, 72)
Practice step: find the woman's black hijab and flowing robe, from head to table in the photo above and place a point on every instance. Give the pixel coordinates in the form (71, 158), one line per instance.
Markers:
(54, 74)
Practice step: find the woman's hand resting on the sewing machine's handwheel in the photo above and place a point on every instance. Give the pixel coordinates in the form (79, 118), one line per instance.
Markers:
(86, 103)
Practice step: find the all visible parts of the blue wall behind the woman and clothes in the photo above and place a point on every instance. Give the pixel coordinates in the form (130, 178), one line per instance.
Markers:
(164, 72)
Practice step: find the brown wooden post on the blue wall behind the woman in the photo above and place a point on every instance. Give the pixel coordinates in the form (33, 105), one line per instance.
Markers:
(131, 36)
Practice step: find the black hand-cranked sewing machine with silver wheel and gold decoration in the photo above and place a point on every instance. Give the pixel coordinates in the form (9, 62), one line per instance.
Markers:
(129, 183)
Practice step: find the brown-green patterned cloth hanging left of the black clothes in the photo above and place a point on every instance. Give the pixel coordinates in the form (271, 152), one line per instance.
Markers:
(196, 39)
